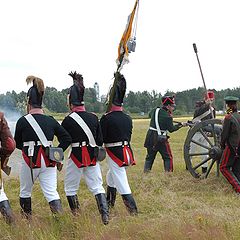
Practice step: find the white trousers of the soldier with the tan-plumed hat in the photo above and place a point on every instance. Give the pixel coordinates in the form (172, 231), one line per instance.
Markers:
(47, 177)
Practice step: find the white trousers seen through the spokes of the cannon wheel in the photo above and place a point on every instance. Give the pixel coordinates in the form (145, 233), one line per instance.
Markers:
(198, 137)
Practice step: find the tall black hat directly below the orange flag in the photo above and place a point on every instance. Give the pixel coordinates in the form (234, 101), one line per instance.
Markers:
(120, 89)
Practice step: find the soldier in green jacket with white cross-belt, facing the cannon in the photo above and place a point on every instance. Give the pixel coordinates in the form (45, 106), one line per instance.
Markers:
(157, 139)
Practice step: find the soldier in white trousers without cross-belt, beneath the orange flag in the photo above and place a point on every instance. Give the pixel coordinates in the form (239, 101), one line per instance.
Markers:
(117, 130)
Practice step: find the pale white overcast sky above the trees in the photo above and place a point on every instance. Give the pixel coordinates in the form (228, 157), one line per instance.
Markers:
(50, 38)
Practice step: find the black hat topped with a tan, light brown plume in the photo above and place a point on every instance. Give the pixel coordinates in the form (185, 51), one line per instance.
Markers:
(35, 93)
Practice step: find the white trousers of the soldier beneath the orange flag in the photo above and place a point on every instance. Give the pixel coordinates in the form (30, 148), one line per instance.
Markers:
(117, 177)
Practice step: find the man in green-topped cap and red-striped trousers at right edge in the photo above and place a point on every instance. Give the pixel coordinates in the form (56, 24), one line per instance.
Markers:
(230, 143)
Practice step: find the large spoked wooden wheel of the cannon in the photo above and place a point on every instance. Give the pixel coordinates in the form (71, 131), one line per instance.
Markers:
(206, 151)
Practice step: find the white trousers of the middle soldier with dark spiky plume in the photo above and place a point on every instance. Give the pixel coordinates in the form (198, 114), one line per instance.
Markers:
(91, 174)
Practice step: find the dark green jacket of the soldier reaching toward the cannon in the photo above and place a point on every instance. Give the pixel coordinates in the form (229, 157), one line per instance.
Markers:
(165, 121)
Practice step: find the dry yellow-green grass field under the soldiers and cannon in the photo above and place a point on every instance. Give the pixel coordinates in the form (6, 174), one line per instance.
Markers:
(171, 206)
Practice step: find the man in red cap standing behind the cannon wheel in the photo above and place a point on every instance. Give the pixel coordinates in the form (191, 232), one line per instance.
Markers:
(203, 111)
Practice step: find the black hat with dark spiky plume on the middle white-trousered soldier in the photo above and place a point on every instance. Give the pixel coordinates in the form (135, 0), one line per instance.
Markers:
(76, 91)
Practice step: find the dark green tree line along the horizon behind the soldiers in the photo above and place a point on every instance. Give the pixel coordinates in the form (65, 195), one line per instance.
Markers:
(134, 102)
